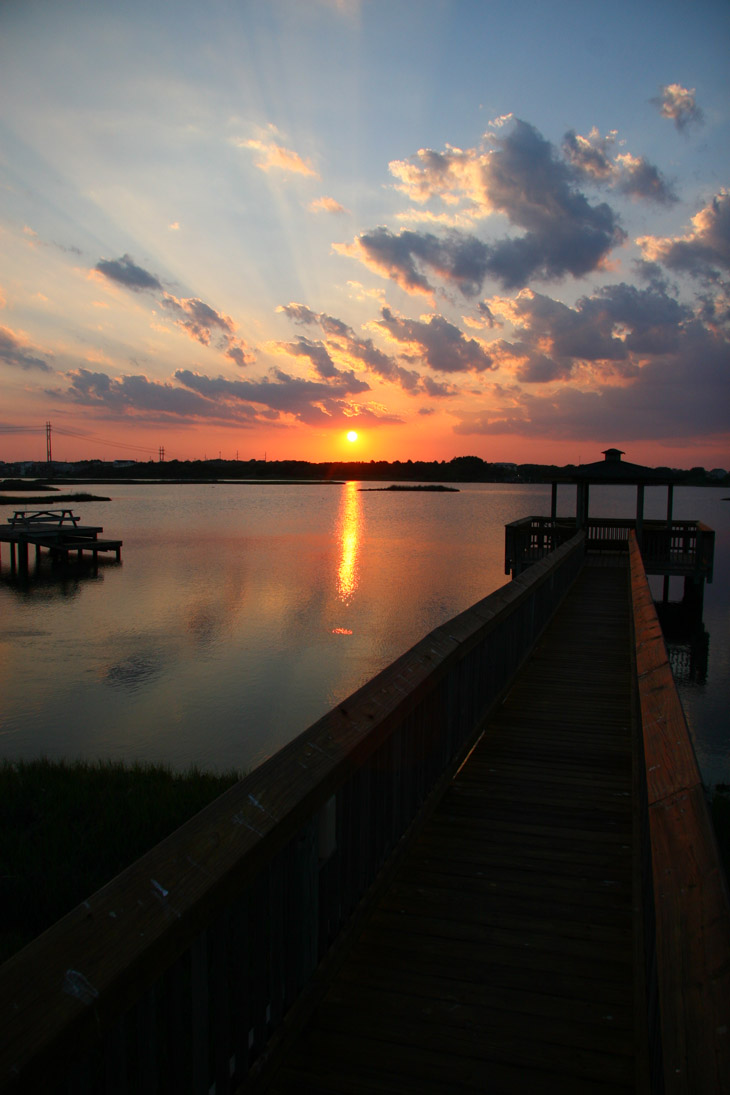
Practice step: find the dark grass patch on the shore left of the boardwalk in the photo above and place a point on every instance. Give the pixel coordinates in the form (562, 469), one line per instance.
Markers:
(66, 829)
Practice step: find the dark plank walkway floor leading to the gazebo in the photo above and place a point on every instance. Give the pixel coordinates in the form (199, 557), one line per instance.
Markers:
(501, 955)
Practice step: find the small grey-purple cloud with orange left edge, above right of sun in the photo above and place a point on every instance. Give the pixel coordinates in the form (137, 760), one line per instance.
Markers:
(442, 345)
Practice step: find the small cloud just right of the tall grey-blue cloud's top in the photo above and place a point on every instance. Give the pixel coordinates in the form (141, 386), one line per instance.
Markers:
(593, 159)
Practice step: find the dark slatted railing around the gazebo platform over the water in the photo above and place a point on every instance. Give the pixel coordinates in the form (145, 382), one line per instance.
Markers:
(682, 548)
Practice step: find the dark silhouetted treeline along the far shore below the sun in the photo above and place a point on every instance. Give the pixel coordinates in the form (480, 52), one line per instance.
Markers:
(459, 470)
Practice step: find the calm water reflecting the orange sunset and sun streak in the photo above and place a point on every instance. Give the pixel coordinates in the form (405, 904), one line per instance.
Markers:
(244, 613)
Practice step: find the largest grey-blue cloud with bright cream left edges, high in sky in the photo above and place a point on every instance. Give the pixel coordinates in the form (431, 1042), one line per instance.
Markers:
(518, 175)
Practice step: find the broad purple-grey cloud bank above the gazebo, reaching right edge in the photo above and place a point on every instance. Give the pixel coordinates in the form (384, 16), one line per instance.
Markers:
(669, 382)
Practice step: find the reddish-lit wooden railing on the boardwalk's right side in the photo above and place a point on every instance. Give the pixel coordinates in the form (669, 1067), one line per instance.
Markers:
(688, 927)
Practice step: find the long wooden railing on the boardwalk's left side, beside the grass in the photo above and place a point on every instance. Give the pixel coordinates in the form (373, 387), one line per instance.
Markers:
(177, 975)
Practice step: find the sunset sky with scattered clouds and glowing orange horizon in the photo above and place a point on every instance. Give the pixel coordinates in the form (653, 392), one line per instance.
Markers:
(250, 228)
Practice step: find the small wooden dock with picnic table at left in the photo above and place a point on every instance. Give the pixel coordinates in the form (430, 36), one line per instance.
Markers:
(57, 532)
